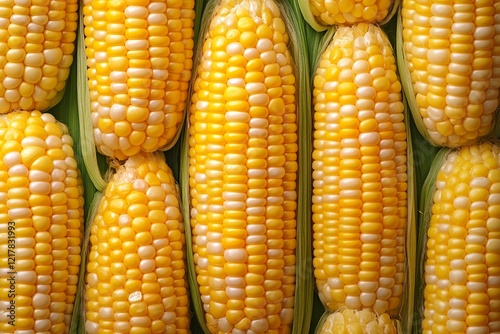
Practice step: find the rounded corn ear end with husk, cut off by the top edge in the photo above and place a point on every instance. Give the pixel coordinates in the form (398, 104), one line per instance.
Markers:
(322, 14)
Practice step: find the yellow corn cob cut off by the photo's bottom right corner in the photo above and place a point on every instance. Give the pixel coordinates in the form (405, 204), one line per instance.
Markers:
(462, 268)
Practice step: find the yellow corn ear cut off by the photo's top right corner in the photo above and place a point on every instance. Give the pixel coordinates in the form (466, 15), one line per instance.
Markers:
(449, 58)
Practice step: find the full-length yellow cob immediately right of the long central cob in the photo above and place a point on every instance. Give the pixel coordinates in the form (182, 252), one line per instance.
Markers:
(359, 173)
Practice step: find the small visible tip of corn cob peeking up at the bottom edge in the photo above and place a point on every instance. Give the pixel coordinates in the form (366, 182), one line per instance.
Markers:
(357, 322)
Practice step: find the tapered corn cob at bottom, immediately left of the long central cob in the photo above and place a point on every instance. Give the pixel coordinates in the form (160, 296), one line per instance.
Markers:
(135, 281)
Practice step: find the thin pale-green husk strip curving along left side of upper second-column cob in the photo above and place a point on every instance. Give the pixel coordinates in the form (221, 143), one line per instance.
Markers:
(88, 148)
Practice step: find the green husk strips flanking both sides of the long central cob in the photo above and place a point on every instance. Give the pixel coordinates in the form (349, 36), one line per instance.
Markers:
(304, 283)
